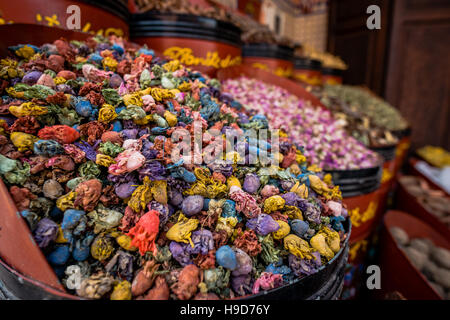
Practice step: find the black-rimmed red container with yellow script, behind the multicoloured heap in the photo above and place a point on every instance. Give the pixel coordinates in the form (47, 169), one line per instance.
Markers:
(201, 43)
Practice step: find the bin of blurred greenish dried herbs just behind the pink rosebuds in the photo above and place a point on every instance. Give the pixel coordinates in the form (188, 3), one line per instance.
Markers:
(373, 122)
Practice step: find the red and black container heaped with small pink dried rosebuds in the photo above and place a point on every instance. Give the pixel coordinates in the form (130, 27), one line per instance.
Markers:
(356, 170)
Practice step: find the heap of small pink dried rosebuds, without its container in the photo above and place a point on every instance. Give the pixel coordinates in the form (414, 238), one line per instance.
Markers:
(325, 141)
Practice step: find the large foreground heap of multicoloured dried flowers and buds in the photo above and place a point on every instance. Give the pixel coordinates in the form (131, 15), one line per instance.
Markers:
(87, 150)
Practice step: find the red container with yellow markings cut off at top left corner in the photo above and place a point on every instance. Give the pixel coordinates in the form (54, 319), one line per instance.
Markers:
(103, 17)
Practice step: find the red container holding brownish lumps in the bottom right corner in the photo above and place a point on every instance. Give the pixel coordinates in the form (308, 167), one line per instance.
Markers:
(416, 251)
